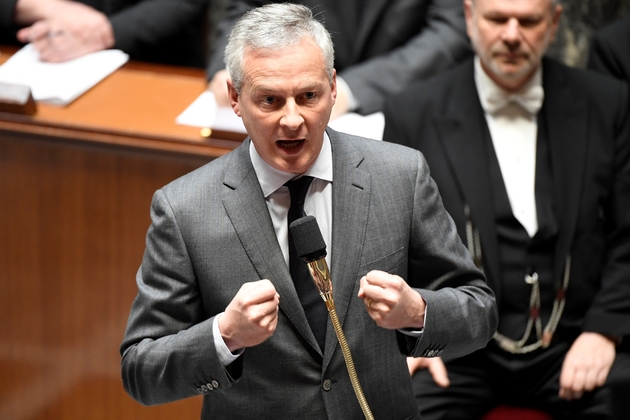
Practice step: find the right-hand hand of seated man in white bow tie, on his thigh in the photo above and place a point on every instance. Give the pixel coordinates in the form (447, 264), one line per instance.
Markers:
(586, 365)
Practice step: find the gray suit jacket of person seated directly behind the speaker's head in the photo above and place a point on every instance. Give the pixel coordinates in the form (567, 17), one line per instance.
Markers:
(392, 44)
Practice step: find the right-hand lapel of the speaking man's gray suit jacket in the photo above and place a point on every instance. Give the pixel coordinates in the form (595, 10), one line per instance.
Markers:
(351, 192)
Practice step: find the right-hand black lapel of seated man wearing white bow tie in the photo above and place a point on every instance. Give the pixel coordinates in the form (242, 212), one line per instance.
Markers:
(566, 117)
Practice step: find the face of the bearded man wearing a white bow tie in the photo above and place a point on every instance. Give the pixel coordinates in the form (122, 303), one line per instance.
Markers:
(511, 36)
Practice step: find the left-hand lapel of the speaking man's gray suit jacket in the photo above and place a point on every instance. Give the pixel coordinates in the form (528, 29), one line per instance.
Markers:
(245, 206)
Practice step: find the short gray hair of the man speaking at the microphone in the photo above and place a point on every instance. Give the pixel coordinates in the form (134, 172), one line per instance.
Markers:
(275, 26)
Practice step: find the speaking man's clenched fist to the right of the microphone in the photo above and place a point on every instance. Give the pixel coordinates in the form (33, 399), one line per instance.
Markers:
(391, 302)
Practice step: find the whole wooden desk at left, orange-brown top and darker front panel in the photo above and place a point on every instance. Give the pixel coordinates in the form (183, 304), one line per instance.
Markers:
(75, 190)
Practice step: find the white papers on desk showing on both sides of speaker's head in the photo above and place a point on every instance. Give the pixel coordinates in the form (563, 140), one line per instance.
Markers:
(204, 112)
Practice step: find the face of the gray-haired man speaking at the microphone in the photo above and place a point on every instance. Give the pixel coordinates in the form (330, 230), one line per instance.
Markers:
(285, 103)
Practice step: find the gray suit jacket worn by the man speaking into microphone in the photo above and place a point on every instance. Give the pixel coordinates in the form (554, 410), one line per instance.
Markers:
(212, 232)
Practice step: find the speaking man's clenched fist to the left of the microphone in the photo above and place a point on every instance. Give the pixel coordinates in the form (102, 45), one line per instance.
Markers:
(251, 317)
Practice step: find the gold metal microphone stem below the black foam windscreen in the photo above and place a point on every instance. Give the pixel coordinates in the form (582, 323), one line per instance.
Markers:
(321, 277)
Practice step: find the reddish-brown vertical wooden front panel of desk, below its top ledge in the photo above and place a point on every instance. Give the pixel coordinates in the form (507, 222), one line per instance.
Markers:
(73, 217)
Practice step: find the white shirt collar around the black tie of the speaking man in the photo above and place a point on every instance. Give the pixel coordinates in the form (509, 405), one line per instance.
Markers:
(271, 179)
